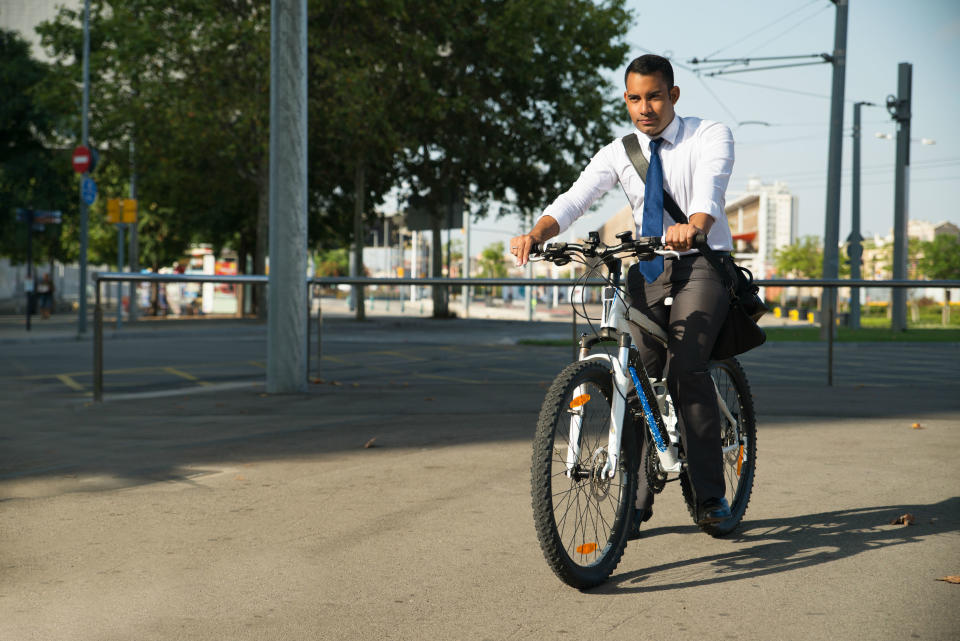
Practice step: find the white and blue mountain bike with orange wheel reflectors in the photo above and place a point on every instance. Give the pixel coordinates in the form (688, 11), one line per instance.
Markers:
(586, 453)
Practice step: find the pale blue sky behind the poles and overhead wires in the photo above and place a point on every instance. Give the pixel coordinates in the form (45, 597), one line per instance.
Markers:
(796, 102)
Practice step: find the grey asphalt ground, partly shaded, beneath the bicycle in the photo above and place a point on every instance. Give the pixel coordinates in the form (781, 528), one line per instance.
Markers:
(191, 505)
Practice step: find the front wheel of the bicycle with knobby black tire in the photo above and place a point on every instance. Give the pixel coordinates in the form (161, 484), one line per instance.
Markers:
(582, 516)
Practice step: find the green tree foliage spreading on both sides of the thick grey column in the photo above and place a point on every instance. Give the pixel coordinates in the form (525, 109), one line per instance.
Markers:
(452, 102)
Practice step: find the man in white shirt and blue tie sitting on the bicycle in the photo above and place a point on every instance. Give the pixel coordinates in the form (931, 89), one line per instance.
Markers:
(692, 160)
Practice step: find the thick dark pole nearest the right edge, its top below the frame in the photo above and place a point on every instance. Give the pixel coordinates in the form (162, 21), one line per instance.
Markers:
(900, 110)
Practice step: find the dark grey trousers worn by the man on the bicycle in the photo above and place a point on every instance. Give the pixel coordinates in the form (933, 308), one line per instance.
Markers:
(692, 322)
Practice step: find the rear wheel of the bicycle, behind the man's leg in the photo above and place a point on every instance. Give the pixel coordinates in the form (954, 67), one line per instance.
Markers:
(735, 390)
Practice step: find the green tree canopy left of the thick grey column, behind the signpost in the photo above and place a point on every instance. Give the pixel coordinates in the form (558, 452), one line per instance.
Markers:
(188, 83)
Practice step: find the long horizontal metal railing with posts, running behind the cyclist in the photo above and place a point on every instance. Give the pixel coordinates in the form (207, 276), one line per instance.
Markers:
(110, 277)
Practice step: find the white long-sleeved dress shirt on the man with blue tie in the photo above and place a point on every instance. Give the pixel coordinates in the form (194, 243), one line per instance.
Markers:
(697, 158)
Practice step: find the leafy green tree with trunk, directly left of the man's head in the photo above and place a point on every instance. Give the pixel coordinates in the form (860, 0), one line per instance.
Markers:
(520, 102)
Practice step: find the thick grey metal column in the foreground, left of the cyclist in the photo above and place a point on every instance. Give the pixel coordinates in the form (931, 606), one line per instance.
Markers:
(286, 322)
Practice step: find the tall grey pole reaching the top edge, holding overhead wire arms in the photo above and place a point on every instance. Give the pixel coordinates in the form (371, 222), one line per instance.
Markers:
(831, 236)
